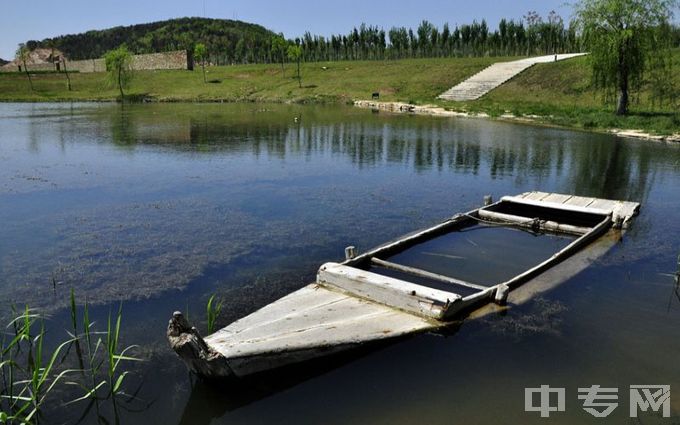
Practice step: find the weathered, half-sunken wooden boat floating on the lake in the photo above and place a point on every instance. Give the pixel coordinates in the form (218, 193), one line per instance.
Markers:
(369, 298)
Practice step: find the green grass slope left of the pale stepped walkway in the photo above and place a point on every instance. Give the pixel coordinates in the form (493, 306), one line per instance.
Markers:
(408, 80)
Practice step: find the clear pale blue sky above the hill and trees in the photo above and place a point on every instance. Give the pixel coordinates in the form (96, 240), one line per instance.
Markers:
(38, 19)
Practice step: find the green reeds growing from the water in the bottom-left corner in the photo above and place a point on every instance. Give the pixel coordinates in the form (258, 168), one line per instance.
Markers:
(30, 371)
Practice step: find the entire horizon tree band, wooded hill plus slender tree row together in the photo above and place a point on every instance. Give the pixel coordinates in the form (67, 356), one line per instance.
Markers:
(231, 42)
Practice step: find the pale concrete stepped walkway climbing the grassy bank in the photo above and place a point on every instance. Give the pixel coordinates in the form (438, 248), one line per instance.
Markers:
(493, 76)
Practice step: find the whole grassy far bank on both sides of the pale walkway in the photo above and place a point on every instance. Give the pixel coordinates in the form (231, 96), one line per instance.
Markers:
(554, 93)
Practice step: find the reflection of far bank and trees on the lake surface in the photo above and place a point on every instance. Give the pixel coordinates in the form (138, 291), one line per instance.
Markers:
(591, 164)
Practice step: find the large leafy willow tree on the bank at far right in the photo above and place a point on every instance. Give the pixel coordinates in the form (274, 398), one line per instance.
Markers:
(621, 37)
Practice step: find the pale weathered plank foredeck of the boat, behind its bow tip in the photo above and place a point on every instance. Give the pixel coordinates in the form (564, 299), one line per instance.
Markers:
(320, 318)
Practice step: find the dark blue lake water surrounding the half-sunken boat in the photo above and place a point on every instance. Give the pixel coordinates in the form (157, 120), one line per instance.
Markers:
(160, 206)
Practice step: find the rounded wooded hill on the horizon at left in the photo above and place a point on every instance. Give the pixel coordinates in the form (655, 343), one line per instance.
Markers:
(227, 40)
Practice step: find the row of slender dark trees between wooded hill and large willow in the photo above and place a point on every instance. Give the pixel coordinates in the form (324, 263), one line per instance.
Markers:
(529, 36)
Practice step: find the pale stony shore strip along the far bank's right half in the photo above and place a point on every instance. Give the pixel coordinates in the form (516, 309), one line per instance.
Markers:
(434, 110)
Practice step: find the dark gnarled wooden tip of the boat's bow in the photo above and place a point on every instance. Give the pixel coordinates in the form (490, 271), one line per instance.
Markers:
(193, 350)
